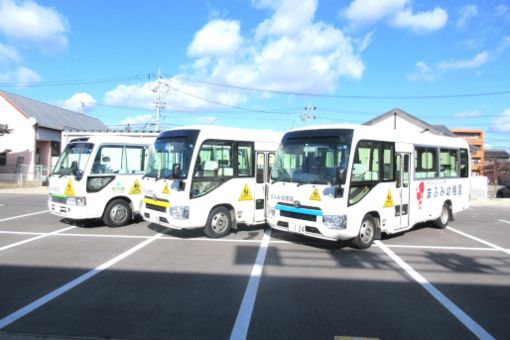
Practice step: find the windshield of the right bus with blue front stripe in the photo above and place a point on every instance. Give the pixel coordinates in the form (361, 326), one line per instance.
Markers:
(313, 157)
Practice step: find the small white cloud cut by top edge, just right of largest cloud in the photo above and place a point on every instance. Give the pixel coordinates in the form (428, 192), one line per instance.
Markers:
(362, 12)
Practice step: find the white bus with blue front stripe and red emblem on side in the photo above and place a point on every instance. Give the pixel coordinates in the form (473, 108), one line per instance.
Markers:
(351, 182)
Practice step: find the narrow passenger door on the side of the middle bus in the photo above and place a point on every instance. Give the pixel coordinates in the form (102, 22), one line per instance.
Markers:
(264, 163)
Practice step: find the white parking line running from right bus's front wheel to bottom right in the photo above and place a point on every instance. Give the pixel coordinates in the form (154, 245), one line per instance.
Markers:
(440, 297)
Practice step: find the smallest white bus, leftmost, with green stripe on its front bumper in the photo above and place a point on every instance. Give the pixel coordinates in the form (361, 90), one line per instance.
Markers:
(99, 177)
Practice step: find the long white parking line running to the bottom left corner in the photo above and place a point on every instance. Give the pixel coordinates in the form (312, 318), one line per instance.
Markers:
(70, 285)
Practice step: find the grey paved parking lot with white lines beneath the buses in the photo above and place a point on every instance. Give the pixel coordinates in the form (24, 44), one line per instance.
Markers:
(142, 281)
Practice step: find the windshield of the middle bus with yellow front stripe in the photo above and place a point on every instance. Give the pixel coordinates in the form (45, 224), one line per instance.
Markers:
(170, 156)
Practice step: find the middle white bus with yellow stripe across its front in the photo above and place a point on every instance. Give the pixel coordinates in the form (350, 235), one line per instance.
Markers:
(208, 176)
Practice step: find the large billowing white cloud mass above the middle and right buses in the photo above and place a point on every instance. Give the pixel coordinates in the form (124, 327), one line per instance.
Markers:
(288, 51)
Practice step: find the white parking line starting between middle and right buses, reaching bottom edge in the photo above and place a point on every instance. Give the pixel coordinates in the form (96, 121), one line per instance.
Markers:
(240, 329)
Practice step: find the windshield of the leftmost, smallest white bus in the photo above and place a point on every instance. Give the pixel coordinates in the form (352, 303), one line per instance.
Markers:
(74, 159)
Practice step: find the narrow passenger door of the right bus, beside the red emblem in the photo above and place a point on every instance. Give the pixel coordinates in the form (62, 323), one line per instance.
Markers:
(403, 188)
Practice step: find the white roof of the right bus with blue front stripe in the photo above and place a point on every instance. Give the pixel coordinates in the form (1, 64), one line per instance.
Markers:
(371, 132)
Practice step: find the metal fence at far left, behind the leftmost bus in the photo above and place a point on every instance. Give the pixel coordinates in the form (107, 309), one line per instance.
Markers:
(23, 175)
